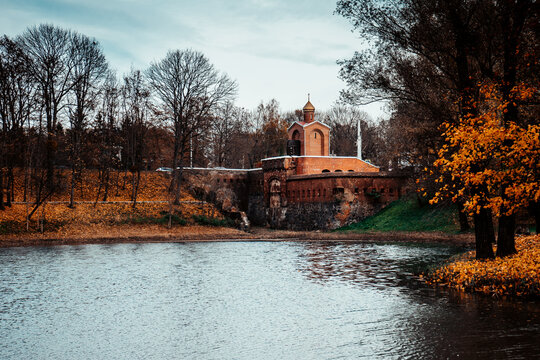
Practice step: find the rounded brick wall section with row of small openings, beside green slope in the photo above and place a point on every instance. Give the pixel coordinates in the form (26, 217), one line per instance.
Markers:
(328, 201)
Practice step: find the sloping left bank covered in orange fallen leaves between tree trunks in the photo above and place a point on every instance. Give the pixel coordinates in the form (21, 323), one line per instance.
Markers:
(152, 208)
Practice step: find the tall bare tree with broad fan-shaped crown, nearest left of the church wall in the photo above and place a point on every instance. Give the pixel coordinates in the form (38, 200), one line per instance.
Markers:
(189, 88)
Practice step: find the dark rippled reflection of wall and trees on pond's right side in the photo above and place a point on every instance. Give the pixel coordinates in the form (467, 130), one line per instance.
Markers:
(424, 322)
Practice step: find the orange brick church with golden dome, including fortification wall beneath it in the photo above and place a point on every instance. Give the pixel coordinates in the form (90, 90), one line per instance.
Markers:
(308, 188)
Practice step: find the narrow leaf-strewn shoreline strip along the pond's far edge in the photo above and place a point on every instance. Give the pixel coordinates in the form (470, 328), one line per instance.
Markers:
(117, 234)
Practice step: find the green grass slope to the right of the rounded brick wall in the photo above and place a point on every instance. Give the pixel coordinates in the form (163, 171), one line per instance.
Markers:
(407, 215)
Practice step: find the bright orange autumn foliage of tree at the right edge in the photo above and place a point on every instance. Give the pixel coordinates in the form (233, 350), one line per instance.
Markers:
(493, 164)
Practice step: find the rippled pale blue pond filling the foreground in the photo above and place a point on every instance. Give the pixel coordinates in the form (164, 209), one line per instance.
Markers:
(248, 300)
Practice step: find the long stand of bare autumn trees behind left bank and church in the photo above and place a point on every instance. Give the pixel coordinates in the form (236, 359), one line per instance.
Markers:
(65, 113)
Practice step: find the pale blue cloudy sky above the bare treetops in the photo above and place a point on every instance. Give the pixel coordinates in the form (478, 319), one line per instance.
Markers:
(280, 49)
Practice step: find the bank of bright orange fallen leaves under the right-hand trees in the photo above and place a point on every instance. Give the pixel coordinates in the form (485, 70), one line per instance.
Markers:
(517, 275)
